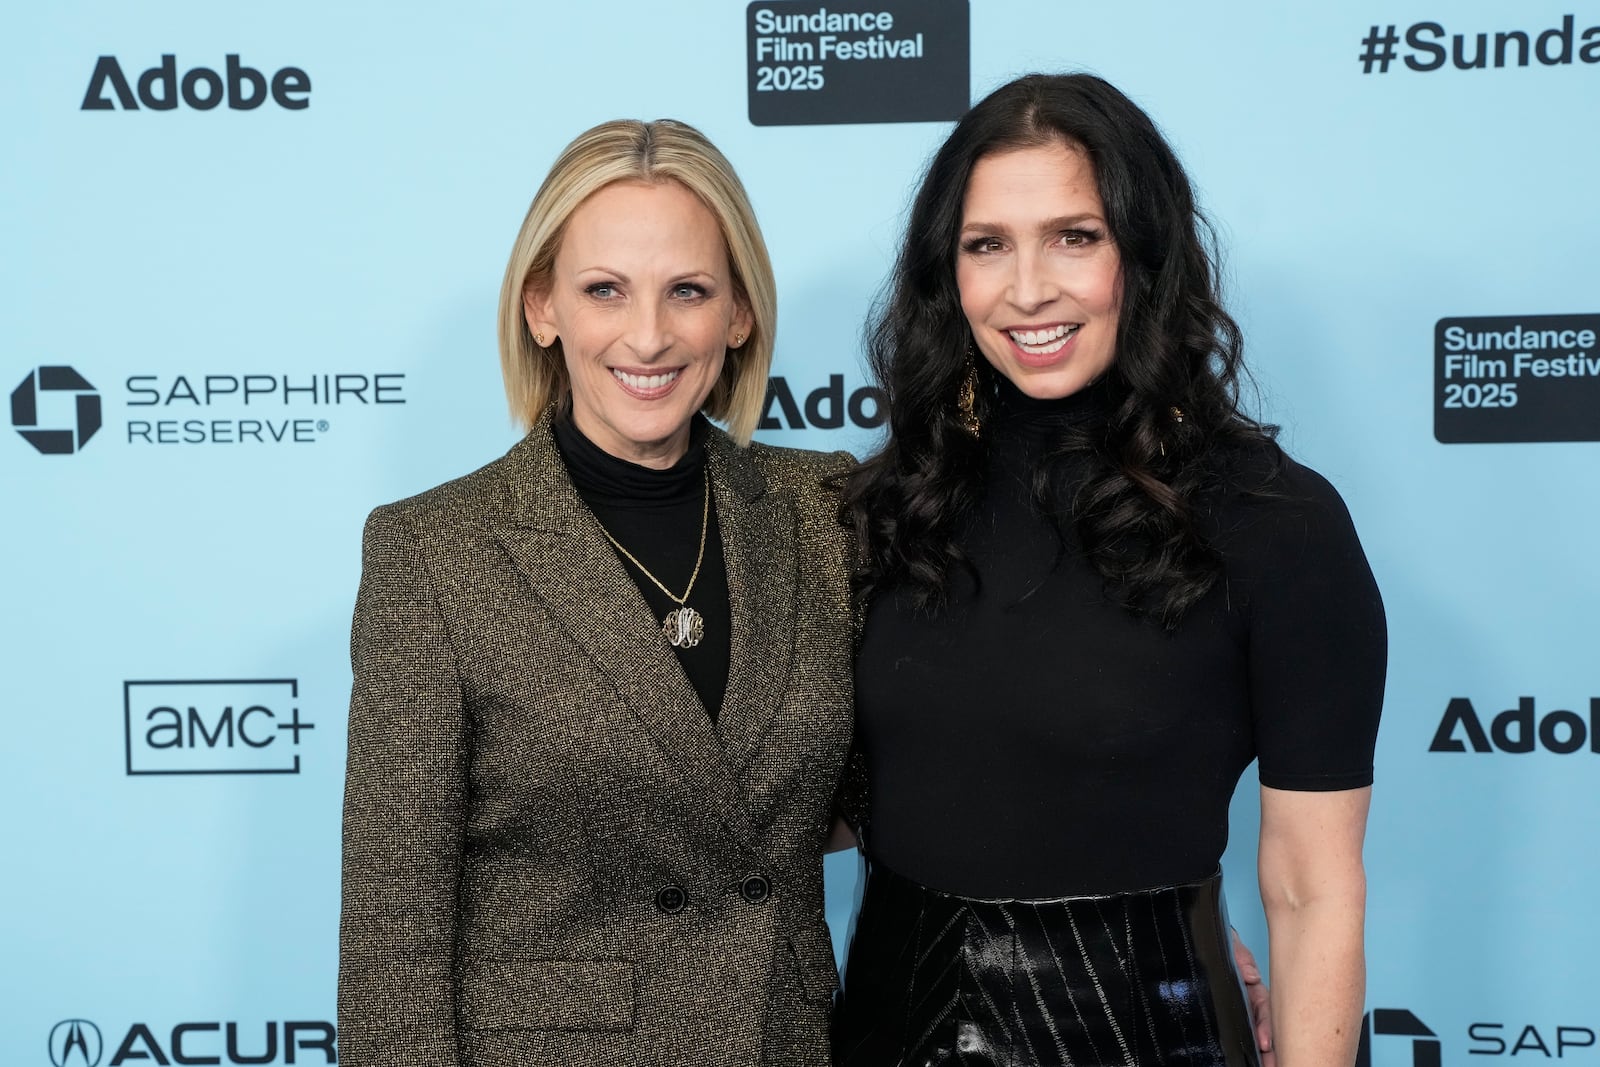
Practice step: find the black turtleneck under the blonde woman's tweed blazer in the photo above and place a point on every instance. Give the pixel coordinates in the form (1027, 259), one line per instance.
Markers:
(657, 516)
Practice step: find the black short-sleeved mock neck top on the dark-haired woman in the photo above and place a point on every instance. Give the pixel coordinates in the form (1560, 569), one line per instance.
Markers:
(1036, 740)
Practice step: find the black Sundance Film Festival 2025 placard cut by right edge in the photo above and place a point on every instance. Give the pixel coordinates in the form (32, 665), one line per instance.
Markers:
(1518, 378)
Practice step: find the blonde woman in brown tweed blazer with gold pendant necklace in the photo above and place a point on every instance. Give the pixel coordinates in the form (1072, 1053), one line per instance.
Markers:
(602, 685)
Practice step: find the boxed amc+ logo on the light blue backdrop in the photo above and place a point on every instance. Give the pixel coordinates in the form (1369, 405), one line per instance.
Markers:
(214, 727)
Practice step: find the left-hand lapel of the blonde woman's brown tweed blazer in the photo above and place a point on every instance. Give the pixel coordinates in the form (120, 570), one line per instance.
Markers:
(567, 562)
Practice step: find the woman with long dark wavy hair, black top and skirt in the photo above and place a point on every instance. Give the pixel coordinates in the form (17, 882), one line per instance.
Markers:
(1097, 593)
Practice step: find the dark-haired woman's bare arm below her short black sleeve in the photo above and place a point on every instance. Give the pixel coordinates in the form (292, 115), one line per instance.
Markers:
(1314, 893)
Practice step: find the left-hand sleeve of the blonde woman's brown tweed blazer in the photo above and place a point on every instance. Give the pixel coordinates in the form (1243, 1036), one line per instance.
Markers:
(404, 815)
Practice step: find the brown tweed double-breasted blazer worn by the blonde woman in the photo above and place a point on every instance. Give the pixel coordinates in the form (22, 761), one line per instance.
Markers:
(551, 853)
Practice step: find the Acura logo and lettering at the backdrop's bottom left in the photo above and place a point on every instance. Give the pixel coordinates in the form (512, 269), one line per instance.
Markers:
(78, 1044)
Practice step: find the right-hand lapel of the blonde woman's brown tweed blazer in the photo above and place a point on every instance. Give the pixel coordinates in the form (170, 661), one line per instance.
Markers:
(759, 551)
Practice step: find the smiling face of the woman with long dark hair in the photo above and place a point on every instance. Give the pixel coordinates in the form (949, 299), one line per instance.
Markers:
(1038, 270)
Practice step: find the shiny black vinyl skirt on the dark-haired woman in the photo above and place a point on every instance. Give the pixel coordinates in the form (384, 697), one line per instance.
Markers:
(1134, 980)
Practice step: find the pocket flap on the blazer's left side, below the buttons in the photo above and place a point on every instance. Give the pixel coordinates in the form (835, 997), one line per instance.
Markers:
(548, 996)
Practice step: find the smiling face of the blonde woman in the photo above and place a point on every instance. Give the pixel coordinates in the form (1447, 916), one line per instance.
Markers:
(644, 303)
